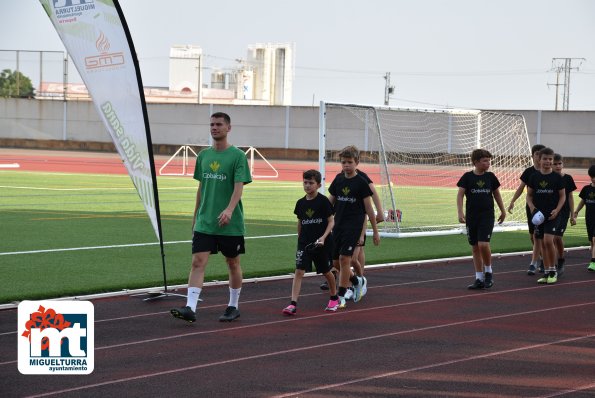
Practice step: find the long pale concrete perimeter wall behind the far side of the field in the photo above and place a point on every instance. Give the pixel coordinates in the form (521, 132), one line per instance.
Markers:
(570, 133)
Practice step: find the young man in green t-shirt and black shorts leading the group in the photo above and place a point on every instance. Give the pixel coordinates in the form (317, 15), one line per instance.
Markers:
(222, 171)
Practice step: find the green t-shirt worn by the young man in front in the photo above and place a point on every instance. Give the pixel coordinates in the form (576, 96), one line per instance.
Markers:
(217, 172)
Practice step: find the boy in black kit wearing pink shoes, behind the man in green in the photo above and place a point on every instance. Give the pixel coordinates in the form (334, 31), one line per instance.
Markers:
(315, 223)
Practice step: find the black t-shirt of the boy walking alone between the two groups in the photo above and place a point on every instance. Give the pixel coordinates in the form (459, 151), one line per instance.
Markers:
(479, 191)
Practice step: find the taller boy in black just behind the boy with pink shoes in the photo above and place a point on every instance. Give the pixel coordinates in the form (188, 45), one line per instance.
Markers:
(351, 196)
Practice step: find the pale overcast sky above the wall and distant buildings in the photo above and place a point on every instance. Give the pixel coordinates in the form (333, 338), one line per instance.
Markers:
(456, 53)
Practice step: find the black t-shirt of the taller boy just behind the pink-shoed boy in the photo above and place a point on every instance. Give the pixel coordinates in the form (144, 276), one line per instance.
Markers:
(349, 194)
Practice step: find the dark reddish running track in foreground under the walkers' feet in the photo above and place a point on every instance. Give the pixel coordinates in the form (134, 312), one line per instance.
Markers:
(417, 333)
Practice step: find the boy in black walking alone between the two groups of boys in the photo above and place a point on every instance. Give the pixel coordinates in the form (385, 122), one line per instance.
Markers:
(480, 187)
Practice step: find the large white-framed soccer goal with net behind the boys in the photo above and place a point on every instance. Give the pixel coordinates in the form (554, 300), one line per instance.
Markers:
(416, 156)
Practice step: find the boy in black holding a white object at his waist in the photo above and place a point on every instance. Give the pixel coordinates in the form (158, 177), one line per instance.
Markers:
(546, 194)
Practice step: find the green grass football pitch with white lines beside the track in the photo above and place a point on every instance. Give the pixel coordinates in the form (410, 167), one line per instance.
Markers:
(66, 234)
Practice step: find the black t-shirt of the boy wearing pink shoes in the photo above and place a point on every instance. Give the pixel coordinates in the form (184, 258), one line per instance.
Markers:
(313, 215)
